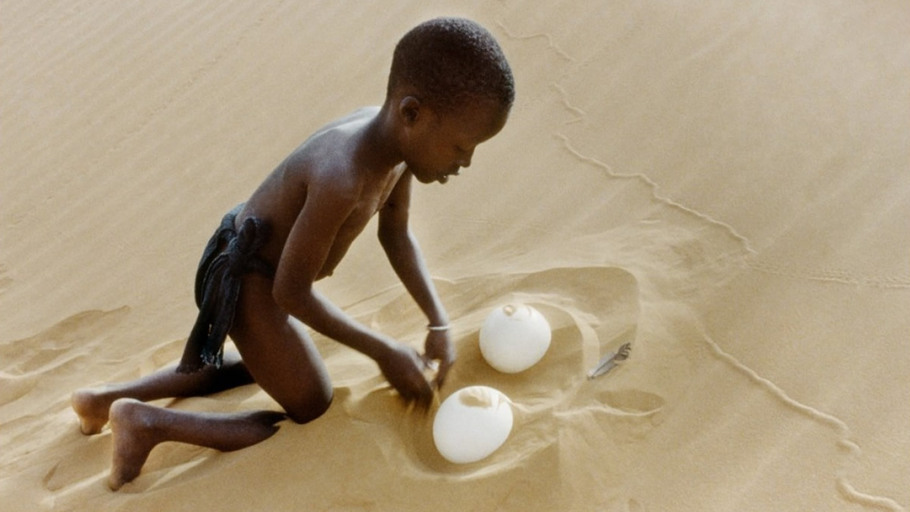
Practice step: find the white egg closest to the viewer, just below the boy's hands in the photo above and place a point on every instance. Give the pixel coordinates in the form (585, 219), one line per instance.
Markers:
(472, 423)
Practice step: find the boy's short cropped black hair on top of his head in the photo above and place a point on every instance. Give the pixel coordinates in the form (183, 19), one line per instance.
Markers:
(450, 61)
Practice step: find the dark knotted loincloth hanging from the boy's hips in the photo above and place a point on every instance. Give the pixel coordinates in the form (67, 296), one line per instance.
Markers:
(229, 254)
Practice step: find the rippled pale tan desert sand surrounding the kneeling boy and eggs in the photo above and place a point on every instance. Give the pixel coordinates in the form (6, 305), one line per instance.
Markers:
(722, 184)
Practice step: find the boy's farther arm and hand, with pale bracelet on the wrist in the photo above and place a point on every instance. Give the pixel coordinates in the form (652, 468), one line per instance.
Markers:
(404, 254)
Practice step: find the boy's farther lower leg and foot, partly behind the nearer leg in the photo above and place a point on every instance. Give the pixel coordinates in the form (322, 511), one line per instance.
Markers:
(93, 404)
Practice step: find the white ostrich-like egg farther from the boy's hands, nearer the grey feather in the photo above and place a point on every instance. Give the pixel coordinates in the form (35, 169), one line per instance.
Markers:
(514, 337)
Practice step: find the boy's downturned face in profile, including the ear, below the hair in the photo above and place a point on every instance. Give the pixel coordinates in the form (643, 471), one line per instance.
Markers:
(440, 144)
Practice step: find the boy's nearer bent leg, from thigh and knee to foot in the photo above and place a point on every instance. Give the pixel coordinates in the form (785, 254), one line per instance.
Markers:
(277, 353)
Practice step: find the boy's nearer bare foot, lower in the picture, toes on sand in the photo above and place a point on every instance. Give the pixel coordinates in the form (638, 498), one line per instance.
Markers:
(133, 440)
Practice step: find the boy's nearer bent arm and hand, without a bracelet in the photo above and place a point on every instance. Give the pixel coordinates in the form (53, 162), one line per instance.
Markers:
(306, 250)
